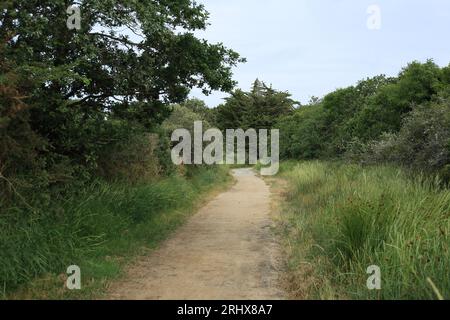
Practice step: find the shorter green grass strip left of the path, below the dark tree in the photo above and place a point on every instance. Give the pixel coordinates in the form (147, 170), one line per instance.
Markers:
(100, 231)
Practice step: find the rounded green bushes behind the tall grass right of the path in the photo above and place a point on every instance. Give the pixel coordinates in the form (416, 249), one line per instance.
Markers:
(403, 120)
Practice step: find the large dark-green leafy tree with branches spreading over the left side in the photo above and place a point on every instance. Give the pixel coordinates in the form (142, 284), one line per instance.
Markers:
(68, 97)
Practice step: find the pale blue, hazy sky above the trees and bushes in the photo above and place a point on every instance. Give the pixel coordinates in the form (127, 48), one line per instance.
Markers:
(311, 47)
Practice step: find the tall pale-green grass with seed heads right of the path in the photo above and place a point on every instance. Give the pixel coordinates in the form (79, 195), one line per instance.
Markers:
(340, 219)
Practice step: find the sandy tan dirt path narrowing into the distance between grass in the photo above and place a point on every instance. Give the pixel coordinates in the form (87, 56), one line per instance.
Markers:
(226, 251)
